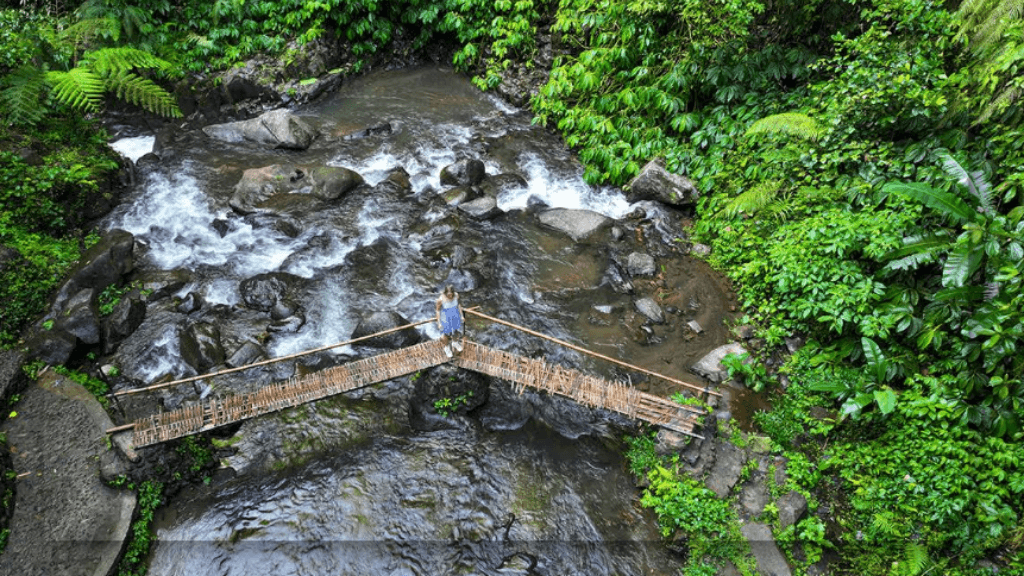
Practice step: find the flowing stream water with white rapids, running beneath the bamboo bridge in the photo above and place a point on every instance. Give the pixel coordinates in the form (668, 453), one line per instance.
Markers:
(348, 486)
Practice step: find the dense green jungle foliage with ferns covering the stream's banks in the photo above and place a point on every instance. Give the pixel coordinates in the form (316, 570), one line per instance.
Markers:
(861, 163)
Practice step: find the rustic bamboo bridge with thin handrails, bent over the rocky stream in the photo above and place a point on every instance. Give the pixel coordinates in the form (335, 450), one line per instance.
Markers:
(521, 372)
